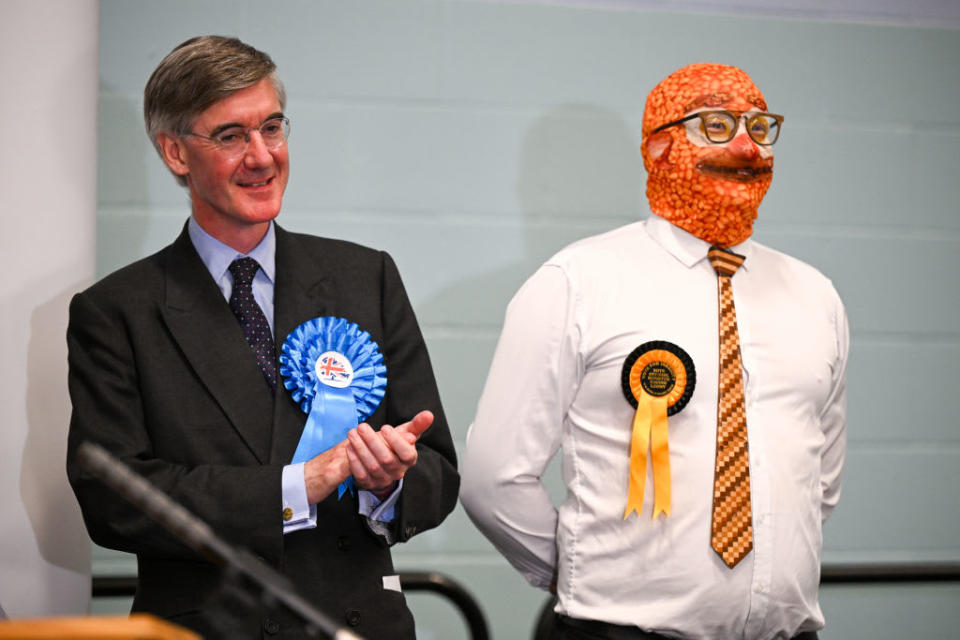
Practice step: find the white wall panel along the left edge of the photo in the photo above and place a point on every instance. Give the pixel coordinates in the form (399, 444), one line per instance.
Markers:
(48, 55)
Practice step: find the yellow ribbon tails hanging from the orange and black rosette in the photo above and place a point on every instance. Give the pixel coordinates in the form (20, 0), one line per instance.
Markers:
(649, 432)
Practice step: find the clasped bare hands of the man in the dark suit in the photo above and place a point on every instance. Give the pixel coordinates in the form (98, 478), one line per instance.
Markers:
(377, 460)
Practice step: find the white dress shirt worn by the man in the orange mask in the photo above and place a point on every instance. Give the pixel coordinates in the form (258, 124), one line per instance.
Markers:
(555, 384)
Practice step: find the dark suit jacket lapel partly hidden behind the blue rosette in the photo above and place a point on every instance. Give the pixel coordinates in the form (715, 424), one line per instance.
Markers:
(302, 292)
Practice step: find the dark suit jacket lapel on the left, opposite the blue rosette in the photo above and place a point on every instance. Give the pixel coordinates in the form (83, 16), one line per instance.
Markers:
(202, 324)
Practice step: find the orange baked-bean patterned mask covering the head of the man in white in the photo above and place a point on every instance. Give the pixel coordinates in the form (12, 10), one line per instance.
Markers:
(711, 190)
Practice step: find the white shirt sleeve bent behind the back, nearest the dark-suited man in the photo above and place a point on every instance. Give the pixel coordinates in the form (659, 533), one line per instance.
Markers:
(519, 424)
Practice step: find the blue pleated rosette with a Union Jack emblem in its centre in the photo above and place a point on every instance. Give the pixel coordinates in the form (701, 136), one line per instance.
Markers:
(336, 373)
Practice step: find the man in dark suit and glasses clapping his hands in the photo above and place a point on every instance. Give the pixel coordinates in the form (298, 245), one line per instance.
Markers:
(173, 368)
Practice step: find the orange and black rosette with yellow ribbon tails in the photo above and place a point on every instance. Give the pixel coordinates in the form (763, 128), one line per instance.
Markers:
(658, 379)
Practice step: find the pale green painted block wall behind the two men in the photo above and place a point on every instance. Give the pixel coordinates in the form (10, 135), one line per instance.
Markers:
(474, 139)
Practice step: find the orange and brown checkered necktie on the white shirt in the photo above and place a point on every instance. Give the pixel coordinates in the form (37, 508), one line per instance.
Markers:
(731, 528)
